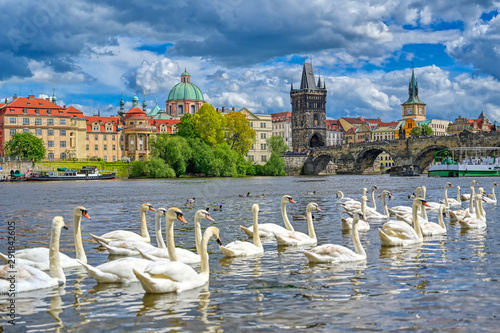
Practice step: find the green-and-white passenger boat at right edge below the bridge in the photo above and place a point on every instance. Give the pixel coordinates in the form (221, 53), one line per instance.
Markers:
(465, 162)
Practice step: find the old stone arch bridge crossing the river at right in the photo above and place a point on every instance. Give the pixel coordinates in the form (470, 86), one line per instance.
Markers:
(356, 158)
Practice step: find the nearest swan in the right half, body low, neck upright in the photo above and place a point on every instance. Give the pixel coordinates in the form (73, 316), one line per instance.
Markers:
(332, 253)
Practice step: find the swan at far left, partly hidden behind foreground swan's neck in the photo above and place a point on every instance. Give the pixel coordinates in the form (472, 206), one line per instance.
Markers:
(38, 257)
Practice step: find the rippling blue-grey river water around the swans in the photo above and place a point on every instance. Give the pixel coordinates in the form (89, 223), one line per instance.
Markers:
(449, 283)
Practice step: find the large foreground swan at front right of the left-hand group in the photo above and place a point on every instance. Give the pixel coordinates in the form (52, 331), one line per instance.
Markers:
(164, 276)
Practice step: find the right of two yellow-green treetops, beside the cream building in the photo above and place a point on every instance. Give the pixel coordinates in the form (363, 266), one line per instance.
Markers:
(239, 135)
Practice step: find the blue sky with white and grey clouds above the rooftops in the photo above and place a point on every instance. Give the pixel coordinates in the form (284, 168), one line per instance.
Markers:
(247, 53)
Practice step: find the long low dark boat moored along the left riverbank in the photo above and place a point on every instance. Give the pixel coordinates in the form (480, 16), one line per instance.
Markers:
(63, 174)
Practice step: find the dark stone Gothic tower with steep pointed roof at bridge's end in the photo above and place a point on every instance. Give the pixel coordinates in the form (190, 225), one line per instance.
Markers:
(308, 112)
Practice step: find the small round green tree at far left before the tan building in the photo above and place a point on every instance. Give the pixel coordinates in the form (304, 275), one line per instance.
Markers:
(26, 146)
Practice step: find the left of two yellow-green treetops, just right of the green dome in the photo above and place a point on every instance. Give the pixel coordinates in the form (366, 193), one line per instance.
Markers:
(209, 125)
